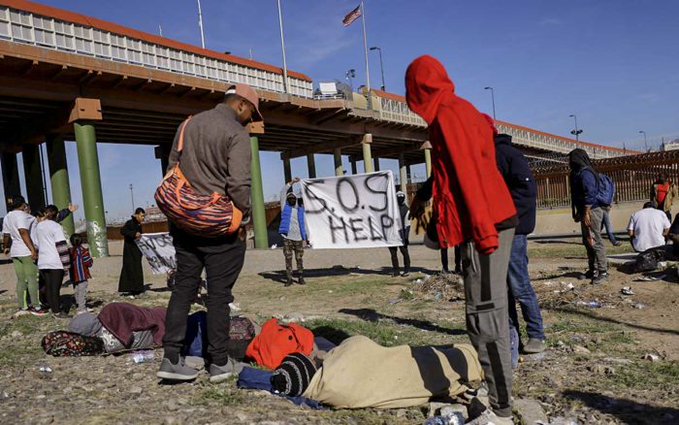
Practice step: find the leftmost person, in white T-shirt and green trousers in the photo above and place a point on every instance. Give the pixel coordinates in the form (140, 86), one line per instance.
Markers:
(18, 244)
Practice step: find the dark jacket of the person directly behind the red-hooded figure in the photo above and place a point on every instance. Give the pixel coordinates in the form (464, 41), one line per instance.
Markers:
(520, 181)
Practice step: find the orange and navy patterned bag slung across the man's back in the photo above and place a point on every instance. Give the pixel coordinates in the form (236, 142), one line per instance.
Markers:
(210, 216)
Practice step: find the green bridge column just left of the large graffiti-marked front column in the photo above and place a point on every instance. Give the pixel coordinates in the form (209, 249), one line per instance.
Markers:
(61, 187)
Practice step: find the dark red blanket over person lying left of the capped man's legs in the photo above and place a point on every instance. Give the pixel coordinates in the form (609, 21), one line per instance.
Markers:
(121, 319)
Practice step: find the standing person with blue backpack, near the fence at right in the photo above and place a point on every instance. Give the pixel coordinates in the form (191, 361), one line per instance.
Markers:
(587, 203)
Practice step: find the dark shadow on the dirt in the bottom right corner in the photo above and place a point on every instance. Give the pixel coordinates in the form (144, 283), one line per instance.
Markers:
(627, 411)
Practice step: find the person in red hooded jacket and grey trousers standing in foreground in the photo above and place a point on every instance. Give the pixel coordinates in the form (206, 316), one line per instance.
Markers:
(475, 209)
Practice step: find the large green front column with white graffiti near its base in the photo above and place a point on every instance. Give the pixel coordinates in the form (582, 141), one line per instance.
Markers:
(90, 180)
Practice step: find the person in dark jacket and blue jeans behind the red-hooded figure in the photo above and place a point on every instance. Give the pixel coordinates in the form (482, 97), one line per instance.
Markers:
(521, 183)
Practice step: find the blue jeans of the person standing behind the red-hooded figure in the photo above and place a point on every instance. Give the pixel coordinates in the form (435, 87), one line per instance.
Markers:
(521, 290)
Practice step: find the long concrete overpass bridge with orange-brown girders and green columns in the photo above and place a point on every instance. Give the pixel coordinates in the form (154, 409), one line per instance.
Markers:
(65, 76)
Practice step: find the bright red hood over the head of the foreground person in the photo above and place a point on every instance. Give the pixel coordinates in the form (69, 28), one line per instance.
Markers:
(427, 85)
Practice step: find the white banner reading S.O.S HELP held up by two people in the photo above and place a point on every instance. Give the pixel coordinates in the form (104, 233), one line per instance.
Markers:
(358, 211)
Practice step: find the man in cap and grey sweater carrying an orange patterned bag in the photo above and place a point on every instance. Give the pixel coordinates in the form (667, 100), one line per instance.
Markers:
(211, 155)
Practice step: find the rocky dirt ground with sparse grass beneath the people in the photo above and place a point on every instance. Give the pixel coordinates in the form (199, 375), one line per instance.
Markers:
(612, 358)
